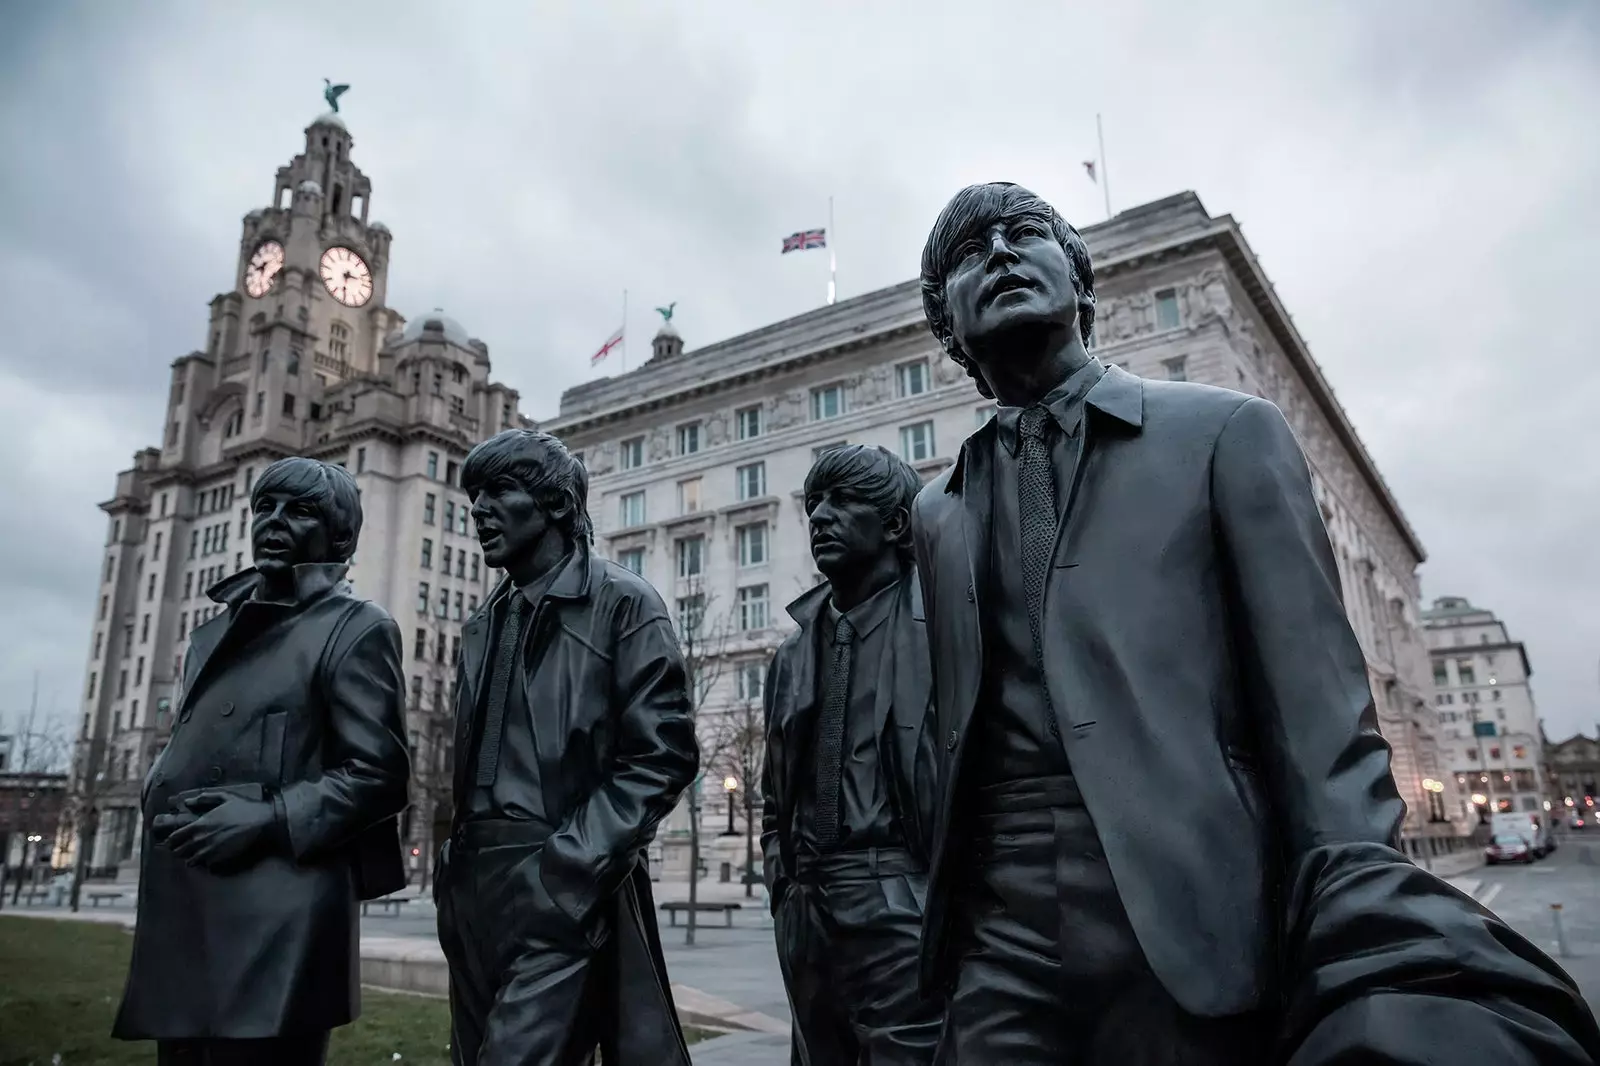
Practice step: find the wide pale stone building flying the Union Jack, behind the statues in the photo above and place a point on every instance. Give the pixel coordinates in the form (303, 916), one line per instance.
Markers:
(697, 460)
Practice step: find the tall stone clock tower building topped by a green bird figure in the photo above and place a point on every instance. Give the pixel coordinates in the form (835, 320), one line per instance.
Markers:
(302, 358)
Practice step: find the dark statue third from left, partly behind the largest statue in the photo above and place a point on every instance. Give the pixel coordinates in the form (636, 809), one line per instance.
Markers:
(847, 785)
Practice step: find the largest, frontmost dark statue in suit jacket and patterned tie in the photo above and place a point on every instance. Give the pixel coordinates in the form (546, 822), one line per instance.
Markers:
(1167, 825)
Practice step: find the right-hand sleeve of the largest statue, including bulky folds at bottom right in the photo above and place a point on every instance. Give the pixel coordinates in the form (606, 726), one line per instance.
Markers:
(1375, 952)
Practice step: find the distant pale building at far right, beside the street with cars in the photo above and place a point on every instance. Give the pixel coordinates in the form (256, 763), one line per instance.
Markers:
(1490, 739)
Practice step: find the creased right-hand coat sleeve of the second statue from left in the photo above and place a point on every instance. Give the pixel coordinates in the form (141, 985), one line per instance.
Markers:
(655, 758)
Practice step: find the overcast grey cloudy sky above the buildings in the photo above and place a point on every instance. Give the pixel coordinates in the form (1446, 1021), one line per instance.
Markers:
(1420, 186)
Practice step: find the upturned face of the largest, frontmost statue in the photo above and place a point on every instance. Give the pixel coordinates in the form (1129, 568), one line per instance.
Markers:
(1012, 275)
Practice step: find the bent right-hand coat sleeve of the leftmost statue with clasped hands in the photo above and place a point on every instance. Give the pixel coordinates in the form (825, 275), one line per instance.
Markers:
(366, 753)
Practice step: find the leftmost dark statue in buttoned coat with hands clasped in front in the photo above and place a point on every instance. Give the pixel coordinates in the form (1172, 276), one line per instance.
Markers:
(274, 809)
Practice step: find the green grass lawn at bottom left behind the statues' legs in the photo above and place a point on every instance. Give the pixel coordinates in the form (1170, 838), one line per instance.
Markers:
(62, 982)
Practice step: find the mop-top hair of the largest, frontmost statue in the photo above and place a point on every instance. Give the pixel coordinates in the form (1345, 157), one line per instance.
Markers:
(969, 214)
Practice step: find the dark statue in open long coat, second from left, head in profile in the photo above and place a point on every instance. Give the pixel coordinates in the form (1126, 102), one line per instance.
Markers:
(574, 740)
